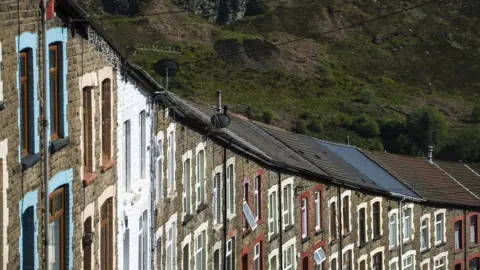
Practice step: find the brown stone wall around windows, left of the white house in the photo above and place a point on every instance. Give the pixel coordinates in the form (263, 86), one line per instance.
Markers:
(25, 186)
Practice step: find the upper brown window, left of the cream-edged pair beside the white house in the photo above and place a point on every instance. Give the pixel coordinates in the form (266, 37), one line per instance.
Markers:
(88, 130)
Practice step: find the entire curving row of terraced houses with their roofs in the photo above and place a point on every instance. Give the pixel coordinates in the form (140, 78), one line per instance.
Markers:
(141, 179)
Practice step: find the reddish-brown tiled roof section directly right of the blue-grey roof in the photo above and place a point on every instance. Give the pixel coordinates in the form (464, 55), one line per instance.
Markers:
(425, 178)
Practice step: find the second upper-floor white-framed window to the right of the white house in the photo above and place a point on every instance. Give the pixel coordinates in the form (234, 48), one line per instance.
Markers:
(171, 155)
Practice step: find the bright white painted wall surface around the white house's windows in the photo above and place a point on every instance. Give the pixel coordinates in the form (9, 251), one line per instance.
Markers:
(131, 205)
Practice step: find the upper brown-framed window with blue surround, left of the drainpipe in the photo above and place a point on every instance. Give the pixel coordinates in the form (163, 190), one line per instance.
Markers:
(26, 101)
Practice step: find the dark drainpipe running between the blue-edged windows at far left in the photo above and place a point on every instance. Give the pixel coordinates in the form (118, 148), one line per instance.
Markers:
(45, 131)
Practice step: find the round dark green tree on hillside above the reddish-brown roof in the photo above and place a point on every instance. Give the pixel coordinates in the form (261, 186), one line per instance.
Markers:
(426, 126)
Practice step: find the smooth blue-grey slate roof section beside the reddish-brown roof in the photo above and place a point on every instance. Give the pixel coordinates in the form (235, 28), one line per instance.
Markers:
(370, 169)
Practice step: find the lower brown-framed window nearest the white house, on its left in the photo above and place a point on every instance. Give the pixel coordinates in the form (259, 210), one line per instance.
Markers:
(106, 234)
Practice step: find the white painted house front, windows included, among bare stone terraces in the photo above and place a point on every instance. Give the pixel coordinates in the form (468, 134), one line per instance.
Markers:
(133, 188)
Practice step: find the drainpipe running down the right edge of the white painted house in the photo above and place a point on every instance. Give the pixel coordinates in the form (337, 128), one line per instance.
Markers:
(153, 210)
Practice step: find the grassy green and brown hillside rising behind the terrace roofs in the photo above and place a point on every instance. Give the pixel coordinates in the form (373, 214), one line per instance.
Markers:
(362, 82)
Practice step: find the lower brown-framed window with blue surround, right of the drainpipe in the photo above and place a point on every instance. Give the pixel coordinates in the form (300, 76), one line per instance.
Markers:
(56, 228)
